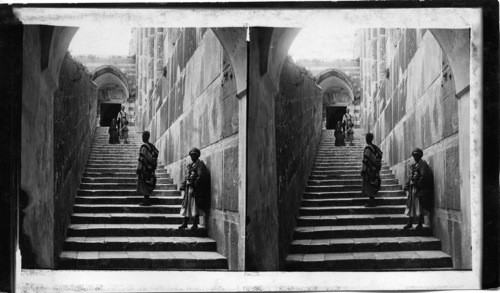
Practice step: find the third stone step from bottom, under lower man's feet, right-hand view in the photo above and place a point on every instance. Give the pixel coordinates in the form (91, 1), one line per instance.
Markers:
(357, 231)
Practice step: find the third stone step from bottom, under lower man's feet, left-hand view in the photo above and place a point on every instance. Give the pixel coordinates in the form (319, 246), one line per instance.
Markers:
(133, 230)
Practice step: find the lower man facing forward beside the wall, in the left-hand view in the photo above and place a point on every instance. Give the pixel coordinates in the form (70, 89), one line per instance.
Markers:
(196, 187)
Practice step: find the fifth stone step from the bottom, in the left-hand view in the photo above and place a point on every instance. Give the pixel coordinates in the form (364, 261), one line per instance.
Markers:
(126, 208)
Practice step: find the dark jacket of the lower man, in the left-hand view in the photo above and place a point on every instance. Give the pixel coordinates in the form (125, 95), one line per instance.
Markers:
(198, 177)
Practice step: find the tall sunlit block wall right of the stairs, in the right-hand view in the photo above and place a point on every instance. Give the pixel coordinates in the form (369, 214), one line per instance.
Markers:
(409, 101)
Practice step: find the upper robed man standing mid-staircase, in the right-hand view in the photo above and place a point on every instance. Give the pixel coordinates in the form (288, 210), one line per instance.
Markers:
(372, 163)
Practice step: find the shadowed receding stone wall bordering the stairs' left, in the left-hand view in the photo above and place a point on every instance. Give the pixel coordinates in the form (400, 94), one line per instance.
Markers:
(75, 118)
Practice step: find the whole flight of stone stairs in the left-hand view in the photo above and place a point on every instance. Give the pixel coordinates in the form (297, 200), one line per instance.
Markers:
(109, 230)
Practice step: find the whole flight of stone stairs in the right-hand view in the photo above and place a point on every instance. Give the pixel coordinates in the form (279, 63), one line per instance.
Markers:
(335, 232)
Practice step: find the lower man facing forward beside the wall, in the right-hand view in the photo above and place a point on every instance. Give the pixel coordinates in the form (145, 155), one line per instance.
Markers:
(419, 188)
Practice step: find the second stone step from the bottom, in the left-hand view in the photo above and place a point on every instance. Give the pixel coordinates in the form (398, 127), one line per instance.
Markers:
(140, 243)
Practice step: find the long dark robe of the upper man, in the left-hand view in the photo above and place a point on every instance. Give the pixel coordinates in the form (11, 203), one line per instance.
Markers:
(146, 178)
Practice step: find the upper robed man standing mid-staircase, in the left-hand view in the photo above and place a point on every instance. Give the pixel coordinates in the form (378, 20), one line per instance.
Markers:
(148, 160)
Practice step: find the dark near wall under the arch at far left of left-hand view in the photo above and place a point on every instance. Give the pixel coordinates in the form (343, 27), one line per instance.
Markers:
(37, 179)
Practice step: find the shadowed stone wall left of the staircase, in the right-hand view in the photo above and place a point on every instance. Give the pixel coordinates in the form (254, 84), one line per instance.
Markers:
(298, 129)
